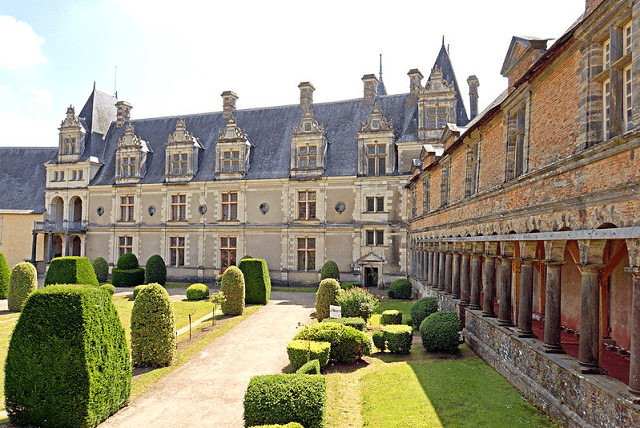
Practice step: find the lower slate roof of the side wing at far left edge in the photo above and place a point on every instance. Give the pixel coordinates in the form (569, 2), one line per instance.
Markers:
(23, 177)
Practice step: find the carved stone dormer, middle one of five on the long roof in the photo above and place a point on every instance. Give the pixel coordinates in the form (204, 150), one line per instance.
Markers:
(233, 151)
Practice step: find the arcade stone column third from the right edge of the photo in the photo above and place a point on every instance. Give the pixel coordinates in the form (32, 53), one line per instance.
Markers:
(552, 320)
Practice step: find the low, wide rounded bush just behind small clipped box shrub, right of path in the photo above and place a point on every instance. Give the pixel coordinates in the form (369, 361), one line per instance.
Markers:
(347, 344)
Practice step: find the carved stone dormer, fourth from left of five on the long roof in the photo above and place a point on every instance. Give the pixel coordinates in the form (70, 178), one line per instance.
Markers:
(308, 148)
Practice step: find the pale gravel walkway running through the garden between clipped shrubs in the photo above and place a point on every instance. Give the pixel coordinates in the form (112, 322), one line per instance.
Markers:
(208, 391)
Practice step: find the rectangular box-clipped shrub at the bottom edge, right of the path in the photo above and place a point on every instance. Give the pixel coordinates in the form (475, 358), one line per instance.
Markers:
(282, 398)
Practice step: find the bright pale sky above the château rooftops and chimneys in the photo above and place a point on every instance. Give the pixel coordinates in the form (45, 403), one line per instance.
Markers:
(176, 58)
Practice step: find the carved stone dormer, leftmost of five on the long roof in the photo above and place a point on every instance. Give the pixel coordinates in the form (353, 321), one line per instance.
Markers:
(131, 157)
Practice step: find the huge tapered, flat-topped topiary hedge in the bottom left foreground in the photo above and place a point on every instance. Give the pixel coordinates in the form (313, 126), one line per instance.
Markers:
(68, 363)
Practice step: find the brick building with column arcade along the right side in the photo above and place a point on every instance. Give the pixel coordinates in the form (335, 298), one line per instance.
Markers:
(527, 221)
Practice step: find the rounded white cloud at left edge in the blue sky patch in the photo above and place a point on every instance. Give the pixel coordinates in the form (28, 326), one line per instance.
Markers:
(19, 44)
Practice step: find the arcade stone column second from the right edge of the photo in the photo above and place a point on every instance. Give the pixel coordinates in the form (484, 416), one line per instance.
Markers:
(589, 351)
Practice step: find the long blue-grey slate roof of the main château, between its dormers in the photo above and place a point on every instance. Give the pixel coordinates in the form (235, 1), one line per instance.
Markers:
(269, 131)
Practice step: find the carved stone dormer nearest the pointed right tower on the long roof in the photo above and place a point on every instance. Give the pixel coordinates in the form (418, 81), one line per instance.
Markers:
(376, 145)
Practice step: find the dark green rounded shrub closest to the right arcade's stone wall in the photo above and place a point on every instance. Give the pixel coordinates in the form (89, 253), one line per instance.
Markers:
(440, 332)
